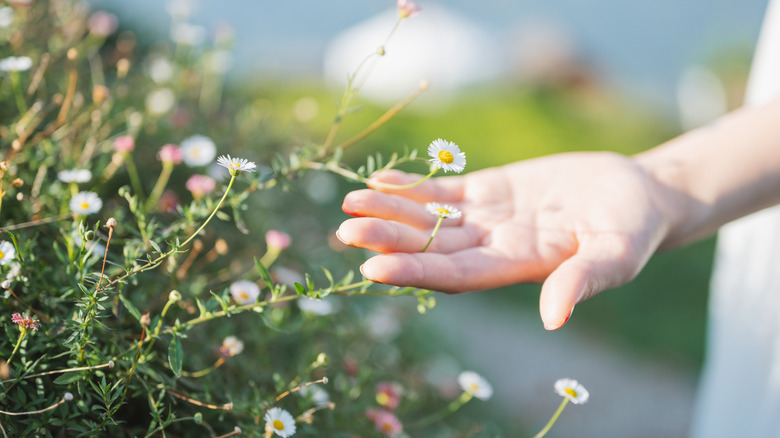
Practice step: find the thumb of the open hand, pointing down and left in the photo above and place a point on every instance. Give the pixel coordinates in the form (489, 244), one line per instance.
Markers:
(600, 263)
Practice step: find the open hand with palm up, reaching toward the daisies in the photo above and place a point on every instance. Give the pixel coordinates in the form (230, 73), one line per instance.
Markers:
(579, 222)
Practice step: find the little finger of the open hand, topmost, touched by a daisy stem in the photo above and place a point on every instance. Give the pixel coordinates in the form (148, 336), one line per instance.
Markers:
(444, 189)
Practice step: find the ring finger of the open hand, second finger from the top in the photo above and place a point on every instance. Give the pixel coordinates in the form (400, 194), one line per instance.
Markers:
(370, 203)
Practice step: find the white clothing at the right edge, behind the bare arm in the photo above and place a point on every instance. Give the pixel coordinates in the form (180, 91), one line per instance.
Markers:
(739, 394)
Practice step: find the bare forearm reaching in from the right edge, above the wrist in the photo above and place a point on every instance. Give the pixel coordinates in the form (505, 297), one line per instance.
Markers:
(717, 173)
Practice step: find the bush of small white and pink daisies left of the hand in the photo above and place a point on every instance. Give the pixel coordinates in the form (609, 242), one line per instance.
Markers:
(140, 297)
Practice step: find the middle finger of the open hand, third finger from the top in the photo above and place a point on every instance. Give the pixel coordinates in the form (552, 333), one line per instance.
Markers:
(387, 236)
